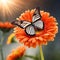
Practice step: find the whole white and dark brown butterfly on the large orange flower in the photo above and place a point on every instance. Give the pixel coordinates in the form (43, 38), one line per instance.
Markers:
(31, 27)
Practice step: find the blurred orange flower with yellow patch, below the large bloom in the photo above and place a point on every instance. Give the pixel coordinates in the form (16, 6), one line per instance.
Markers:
(16, 53)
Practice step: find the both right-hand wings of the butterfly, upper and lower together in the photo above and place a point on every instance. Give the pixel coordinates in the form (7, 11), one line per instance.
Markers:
(36, 20)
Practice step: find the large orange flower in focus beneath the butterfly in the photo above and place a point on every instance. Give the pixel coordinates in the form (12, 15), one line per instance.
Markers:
(41, 37)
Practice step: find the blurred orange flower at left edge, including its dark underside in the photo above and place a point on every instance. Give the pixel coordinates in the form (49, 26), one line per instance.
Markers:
(6, 26)
